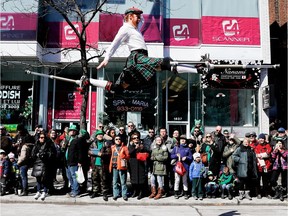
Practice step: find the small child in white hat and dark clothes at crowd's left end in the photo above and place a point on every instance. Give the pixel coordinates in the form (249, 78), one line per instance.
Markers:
(15, 174)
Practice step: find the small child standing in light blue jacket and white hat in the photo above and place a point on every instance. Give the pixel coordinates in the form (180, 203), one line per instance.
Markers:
(196, 171)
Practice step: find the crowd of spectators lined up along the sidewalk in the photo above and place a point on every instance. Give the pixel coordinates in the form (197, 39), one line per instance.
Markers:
(205, 165)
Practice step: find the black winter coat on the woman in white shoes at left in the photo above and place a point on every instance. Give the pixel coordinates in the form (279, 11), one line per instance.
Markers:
(43, 155)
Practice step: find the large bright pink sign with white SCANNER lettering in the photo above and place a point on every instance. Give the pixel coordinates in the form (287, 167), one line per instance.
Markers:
(230, 30)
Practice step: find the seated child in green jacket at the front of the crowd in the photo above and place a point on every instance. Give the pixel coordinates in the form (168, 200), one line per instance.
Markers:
(226, 183)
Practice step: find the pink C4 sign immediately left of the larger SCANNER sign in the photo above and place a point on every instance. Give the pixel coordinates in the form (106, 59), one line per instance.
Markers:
(181, 32)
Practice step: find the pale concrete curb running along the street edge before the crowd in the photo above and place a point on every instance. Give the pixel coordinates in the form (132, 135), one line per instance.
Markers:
(170, 201)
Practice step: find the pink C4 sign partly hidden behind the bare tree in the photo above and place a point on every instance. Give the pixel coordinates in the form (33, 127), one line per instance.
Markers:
(62, 35)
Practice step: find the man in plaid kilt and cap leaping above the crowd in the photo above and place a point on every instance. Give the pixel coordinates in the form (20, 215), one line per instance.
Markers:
(139, 70)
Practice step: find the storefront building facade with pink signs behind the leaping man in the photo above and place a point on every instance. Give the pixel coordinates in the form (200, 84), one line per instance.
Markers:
(229, 31)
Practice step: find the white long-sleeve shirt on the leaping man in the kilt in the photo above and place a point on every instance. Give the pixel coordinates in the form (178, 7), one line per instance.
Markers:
(129, 35)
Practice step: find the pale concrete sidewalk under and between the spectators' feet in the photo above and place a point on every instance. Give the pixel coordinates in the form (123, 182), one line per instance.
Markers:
(84, 199)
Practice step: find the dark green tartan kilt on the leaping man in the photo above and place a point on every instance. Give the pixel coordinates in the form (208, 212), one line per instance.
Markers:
(139, 70)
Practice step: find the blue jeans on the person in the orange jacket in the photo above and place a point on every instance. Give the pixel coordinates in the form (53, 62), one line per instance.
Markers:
(122, 175)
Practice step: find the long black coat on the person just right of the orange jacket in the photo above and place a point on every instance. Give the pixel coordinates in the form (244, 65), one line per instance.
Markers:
(137, 168)
